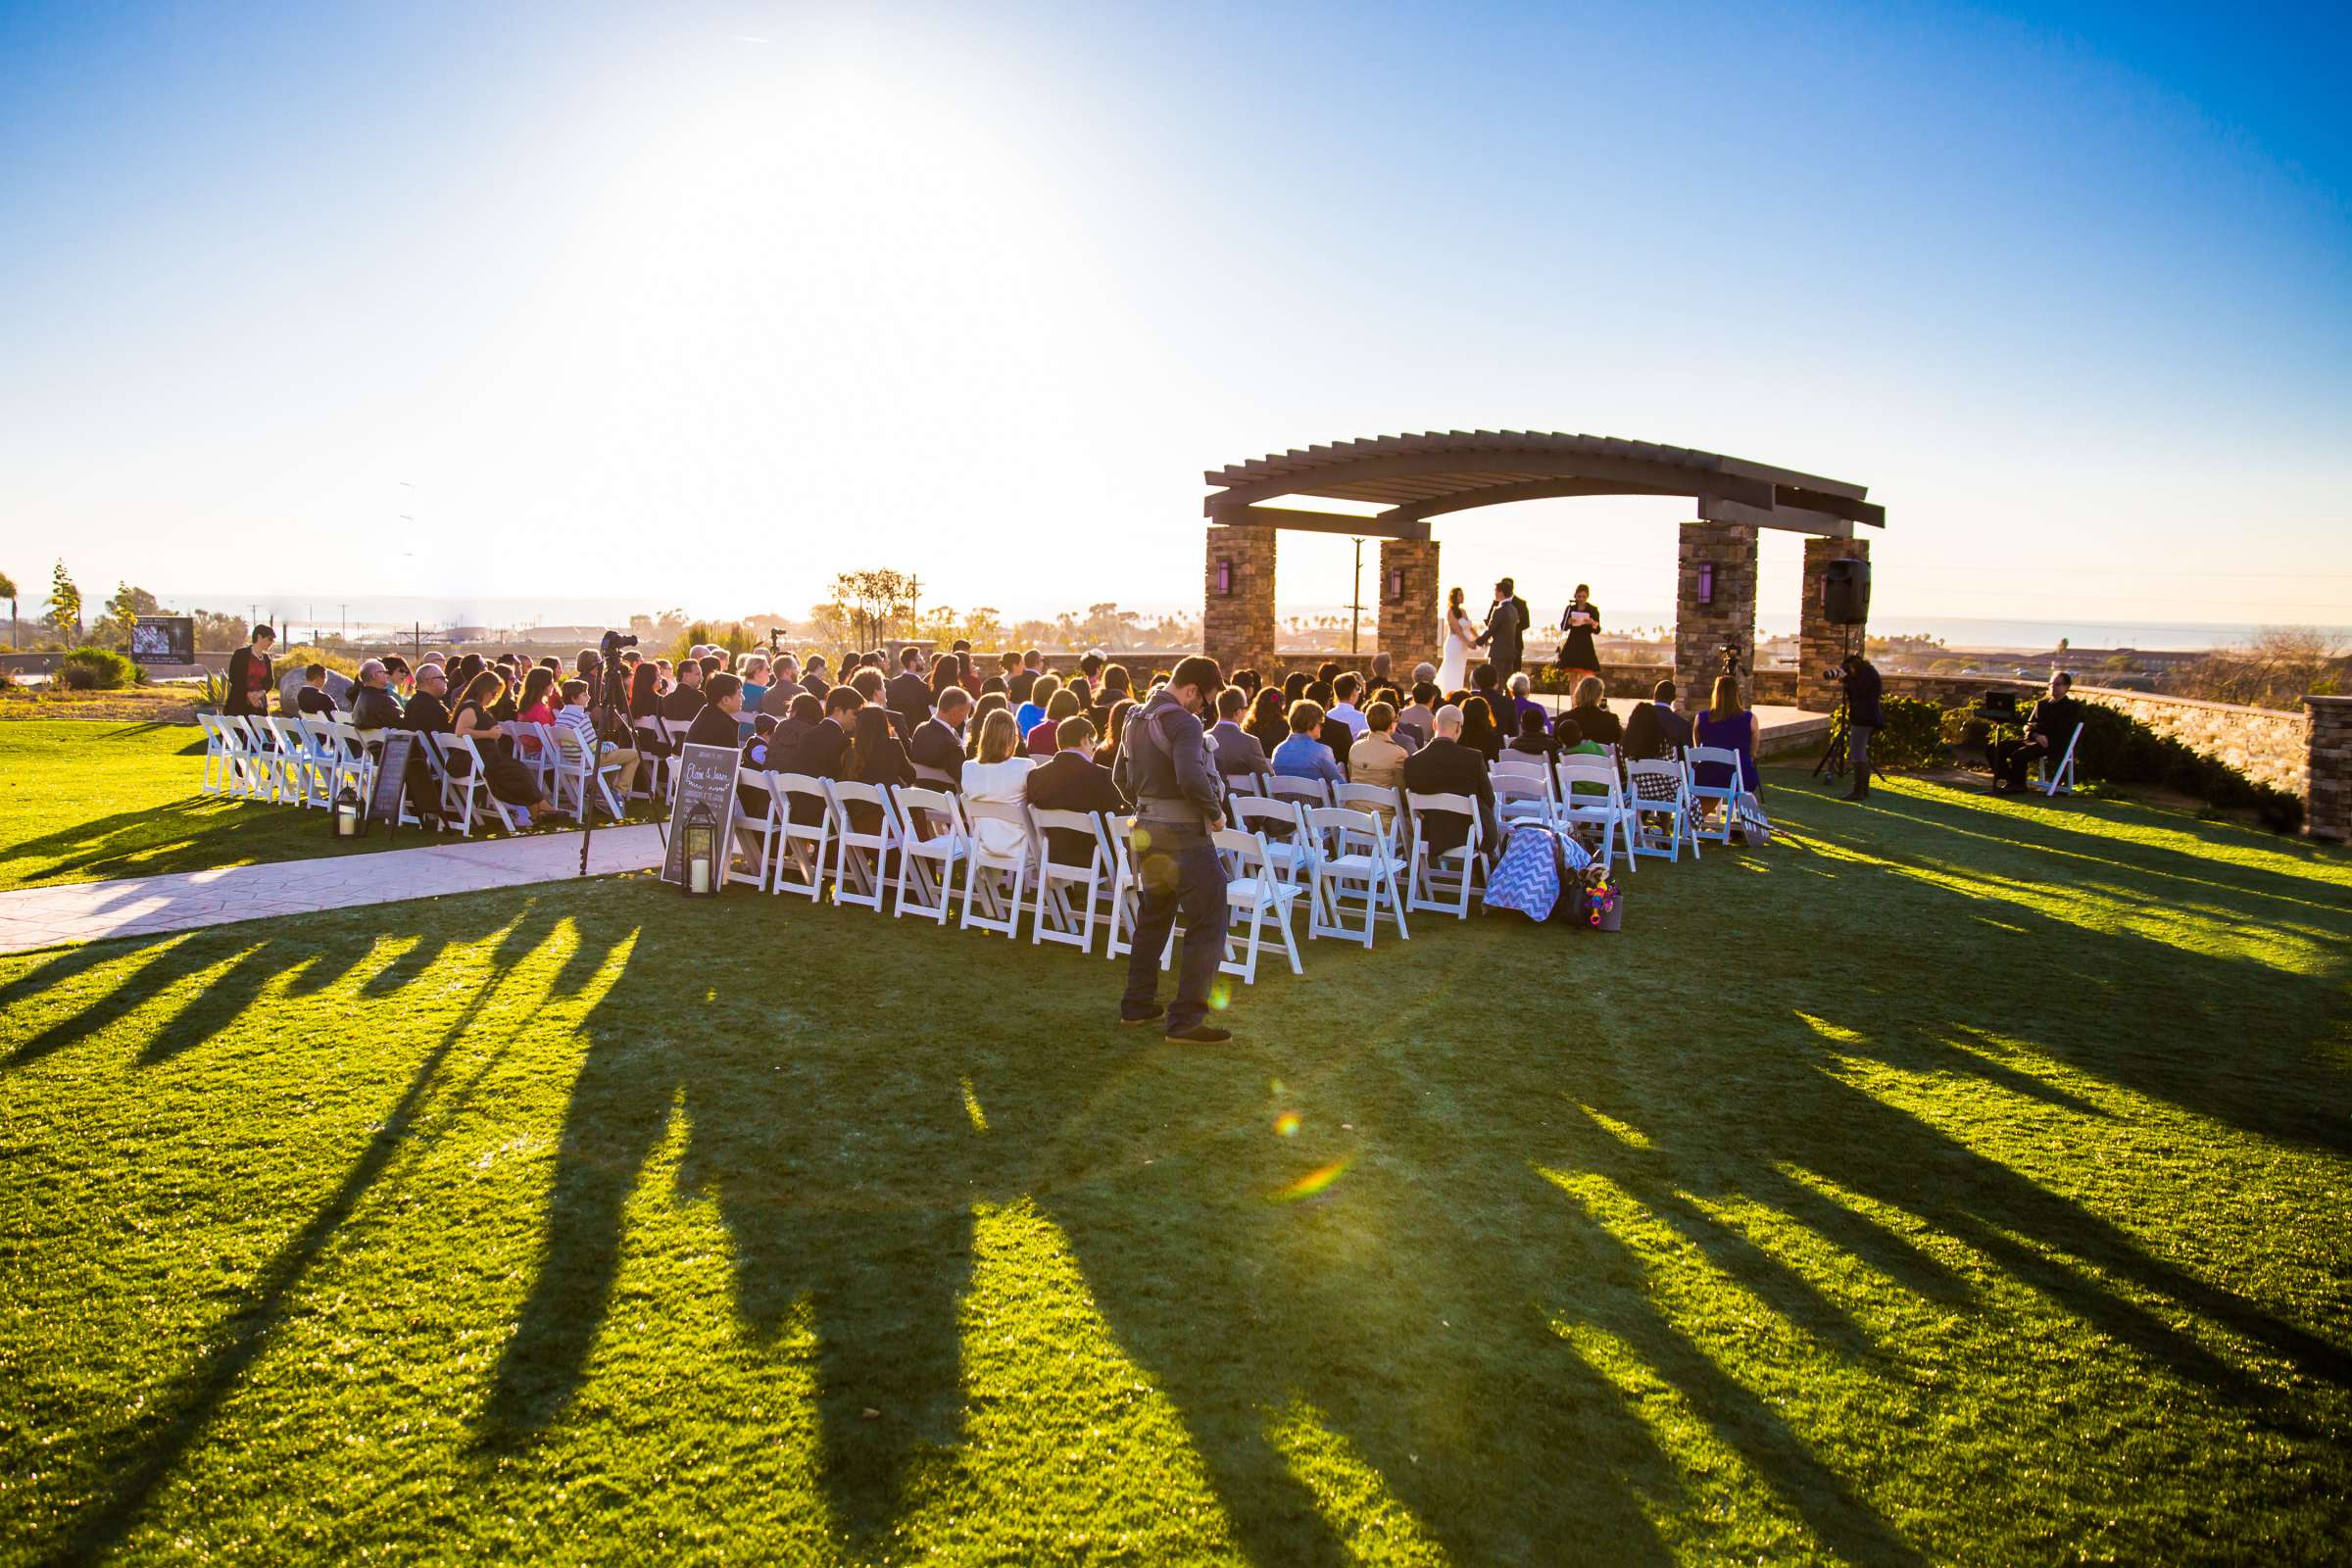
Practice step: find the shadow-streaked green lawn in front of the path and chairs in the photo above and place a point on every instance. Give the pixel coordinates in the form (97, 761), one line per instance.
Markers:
(1956, 1181)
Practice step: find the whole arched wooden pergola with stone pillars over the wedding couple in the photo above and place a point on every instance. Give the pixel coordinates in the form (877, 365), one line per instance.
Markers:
(1415, 478)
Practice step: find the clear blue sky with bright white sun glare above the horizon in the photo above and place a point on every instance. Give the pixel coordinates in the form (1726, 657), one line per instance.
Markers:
(700, 304)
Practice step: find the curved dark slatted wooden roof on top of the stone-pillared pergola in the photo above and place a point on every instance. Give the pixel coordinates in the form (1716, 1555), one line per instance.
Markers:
(1448, 471)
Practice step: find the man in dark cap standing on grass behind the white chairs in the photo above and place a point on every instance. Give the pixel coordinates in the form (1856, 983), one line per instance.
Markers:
(1165, 768)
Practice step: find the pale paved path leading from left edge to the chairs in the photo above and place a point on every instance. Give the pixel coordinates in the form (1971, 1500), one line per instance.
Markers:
(142, 906)
